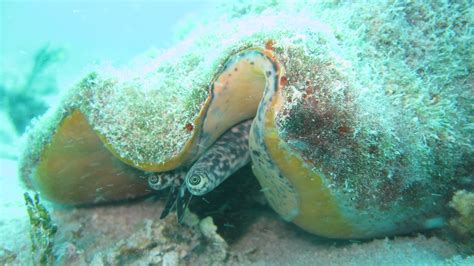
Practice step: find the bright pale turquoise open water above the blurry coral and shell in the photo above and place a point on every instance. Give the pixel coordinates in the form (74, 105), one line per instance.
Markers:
(87, 31)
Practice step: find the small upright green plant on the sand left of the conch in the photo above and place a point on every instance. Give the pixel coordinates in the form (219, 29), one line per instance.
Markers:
(42, 231)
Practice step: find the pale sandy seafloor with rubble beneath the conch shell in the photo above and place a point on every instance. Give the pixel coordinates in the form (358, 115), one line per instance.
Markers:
(132, 233)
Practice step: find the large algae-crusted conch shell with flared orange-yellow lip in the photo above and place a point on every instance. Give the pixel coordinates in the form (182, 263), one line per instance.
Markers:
(339, 148)
